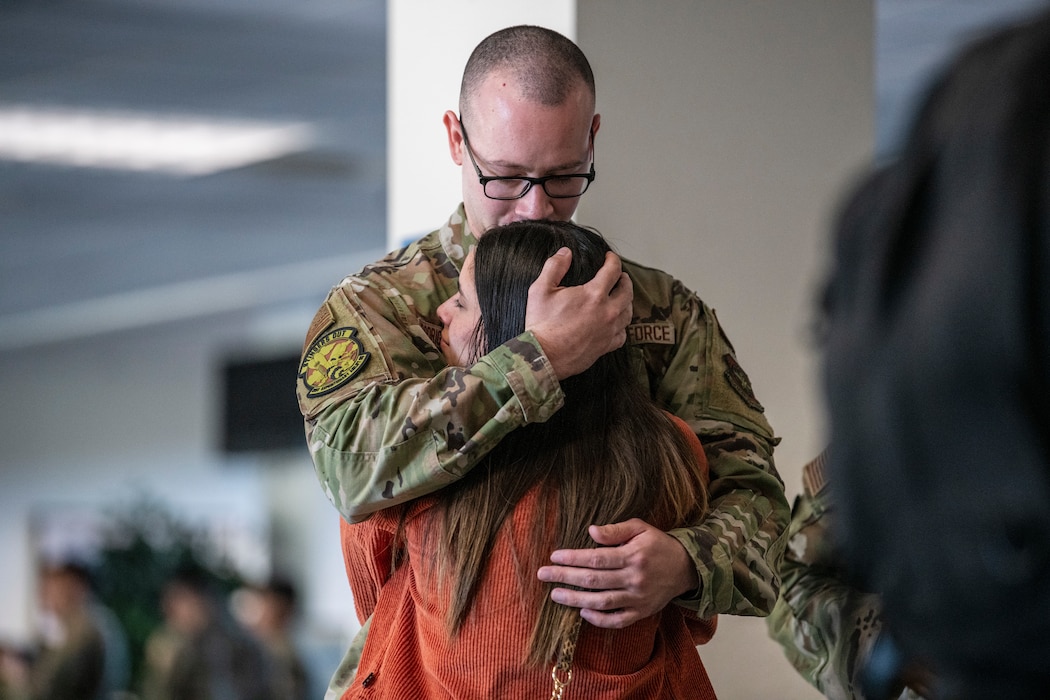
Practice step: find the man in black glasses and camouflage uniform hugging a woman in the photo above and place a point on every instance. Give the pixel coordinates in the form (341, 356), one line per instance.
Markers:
(388, 421)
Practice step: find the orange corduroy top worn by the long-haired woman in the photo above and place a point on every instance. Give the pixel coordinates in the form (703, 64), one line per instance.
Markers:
(409, 654)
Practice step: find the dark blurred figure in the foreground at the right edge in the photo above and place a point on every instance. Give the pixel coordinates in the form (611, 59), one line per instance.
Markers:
(938, 377)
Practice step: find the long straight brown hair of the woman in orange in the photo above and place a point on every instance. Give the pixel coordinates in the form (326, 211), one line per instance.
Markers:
(611, 454)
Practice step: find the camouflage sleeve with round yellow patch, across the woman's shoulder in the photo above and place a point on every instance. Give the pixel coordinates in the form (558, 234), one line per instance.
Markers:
(387, 422)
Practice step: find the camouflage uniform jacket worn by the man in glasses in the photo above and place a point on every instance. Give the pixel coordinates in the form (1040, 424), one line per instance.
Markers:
(388, 421)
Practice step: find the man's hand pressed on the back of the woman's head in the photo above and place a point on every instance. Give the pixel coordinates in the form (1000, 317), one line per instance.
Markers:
(578, 325)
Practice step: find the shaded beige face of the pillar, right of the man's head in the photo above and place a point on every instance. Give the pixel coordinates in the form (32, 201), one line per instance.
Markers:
(729, 132)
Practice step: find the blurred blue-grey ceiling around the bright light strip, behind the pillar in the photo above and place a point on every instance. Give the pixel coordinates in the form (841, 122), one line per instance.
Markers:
(90, 250)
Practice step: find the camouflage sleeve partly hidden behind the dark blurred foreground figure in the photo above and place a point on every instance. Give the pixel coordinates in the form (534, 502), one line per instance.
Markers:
(826, 627)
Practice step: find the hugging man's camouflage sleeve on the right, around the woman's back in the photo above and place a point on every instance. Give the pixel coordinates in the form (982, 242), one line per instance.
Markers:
(739, 547)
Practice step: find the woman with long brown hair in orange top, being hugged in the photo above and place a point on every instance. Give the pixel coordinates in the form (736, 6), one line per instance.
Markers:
(448, 583)
